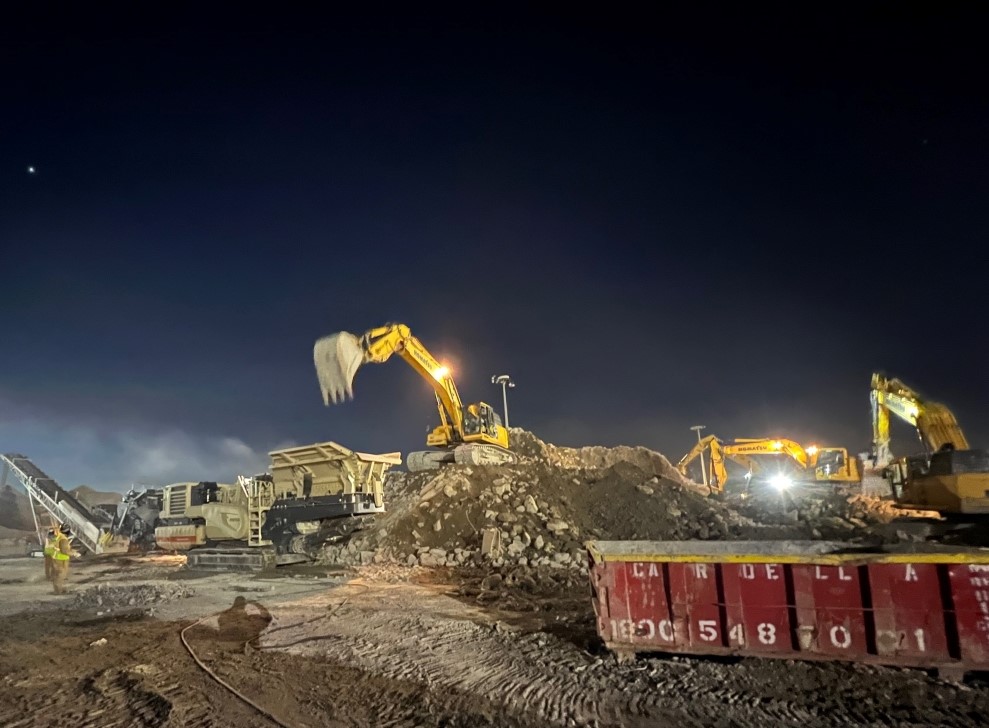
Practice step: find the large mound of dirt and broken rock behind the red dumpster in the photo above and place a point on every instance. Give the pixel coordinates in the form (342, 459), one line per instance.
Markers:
(538, 513)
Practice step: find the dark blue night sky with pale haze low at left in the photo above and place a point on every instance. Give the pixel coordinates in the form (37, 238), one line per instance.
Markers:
(728, 217)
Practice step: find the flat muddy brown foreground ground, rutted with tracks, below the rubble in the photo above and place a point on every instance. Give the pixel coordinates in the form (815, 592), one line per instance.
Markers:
(391, 646)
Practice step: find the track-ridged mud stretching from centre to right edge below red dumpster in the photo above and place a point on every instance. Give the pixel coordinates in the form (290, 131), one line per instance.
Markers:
(540, 679)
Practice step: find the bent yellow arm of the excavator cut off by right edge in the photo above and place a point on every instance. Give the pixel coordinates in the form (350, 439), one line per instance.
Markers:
(935, 423)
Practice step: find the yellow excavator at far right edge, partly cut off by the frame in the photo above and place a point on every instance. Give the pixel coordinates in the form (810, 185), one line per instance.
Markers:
(948, 477)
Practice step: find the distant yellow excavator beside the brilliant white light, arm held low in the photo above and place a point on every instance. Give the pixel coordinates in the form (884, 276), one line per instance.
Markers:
(814, 464)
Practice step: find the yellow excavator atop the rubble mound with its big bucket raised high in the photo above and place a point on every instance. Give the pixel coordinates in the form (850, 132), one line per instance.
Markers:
(467, 434)
